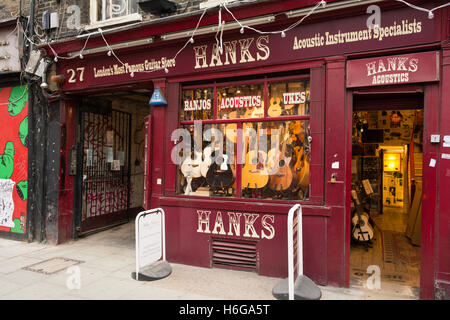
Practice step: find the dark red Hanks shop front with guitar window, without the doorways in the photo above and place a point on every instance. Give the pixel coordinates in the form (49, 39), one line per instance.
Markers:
(299, 89)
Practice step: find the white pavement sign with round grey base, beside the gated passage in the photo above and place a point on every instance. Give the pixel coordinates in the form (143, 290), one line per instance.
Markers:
(151, 261)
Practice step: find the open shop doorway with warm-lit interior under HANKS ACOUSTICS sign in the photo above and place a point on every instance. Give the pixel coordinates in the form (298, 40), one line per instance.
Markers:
(387, 140)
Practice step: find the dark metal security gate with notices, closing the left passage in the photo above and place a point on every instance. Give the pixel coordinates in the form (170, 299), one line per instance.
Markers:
(103, 172)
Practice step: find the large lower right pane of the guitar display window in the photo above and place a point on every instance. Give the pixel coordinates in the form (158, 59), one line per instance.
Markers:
(276, 162)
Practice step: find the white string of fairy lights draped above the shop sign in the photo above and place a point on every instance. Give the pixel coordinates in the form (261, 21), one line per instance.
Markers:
(219, 33)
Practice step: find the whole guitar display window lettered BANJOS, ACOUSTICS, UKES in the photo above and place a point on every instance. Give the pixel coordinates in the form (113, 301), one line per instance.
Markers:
(233, 146)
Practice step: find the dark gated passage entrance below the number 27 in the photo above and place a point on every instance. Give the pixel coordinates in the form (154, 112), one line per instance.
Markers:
(110, 158)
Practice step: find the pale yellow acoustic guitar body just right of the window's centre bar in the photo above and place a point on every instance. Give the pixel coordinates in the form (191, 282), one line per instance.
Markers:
(254, 172)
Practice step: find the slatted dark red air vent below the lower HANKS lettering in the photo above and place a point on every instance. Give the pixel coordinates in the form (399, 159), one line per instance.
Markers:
(234, 254)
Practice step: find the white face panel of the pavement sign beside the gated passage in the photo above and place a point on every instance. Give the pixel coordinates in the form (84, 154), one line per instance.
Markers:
(150, 238)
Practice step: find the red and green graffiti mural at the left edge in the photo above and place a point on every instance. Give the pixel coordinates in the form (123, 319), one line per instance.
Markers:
(13, 158)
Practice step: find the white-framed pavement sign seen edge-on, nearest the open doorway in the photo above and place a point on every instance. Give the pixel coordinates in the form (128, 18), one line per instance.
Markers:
(296, 286)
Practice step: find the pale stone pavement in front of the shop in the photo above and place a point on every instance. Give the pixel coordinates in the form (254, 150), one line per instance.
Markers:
(105, 261)
